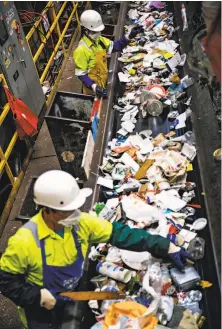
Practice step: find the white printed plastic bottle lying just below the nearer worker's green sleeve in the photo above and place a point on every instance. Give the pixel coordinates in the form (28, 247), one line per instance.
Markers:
(114, 271)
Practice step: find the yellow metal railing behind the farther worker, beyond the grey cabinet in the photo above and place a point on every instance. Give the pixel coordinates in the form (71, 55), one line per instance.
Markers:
(51, 38)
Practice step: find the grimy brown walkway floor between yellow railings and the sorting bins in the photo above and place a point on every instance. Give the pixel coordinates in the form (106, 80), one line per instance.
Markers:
(43, 159)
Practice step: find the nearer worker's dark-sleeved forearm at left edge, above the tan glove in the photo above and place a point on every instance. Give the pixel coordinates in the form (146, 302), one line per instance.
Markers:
(18, 290)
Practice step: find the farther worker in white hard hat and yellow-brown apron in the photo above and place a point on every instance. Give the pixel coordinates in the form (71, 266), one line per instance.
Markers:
(90, 56)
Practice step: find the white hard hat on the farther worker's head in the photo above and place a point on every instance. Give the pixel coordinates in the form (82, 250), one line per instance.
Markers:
(92, 20)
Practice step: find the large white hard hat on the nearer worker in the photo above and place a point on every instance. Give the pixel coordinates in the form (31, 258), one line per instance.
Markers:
(59, 190)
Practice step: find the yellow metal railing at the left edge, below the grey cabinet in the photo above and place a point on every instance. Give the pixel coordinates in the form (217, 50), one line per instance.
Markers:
(13, 162)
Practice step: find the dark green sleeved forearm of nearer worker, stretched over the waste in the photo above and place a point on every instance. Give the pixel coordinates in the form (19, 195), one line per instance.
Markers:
(124, 237)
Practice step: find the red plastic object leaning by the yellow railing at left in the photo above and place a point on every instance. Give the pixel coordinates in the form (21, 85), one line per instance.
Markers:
(26, 121)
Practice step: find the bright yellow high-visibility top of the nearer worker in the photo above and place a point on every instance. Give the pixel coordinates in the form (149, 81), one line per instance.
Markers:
(23, 256)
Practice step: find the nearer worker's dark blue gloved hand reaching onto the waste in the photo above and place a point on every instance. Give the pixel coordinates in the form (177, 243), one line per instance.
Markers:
(178, 256)
